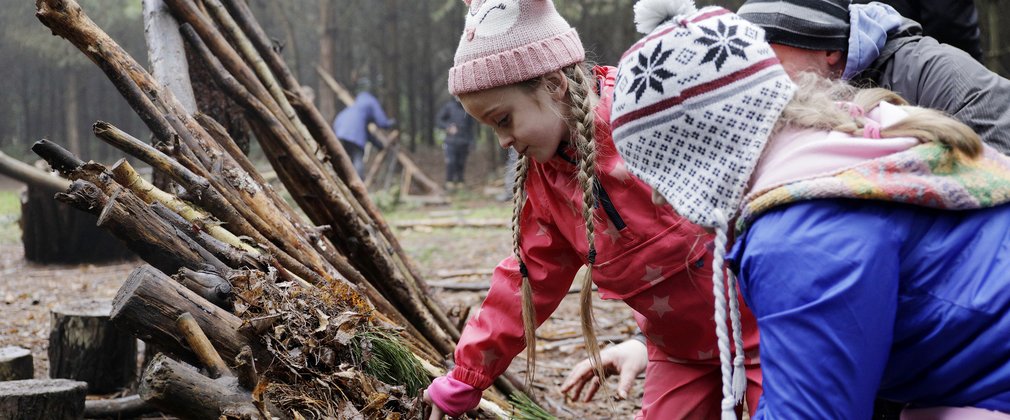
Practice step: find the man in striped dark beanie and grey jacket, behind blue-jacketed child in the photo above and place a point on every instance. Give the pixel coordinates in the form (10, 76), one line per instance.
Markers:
(871, 45)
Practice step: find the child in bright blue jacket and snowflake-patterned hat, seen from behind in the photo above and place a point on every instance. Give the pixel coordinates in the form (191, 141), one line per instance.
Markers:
(870, 238)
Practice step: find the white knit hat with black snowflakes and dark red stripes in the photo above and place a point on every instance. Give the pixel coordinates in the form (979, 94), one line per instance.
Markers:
(695, 102)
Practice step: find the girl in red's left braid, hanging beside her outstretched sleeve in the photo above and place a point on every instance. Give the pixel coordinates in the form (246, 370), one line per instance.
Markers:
(529, 310)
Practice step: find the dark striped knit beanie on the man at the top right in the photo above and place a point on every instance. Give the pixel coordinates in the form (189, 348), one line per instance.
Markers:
(809, 25)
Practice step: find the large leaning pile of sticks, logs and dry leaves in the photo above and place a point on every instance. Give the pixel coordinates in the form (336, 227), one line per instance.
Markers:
(319, 318)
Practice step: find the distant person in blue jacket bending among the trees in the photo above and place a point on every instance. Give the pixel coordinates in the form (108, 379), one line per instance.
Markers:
(352, 125)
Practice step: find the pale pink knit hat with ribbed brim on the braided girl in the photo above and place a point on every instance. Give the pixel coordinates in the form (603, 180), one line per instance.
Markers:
(507, 42)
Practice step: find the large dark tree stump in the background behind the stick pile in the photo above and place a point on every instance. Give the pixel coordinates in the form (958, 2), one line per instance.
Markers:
(55, 233)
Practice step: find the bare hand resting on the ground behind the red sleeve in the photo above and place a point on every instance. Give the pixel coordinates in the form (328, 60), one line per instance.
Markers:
(628, 359)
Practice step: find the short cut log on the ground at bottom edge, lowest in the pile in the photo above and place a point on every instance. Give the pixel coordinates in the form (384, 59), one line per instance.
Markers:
(180, 390)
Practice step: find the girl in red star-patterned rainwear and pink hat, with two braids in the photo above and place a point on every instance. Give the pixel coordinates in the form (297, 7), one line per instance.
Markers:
(520, 69)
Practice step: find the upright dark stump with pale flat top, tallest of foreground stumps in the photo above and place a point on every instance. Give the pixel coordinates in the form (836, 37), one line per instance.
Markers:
(84, 346)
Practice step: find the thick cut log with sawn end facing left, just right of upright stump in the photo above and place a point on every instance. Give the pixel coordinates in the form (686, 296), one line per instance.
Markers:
(150, 302)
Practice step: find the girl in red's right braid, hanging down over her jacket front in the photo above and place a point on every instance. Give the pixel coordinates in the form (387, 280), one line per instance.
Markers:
(579, 95)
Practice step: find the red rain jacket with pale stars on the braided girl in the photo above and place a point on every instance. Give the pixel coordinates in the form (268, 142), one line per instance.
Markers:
(648, 256)
